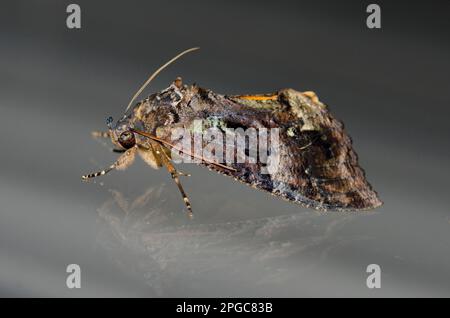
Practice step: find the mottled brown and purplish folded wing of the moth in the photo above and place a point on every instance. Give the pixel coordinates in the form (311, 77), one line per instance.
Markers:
(318, 167)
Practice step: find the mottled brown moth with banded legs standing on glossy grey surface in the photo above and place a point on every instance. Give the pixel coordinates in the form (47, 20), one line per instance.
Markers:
(317, 166)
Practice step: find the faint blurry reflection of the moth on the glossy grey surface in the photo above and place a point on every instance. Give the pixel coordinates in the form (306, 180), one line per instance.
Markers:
(176, 257)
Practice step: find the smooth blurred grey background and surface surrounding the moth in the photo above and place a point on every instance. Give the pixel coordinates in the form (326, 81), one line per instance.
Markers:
(389, 86)
